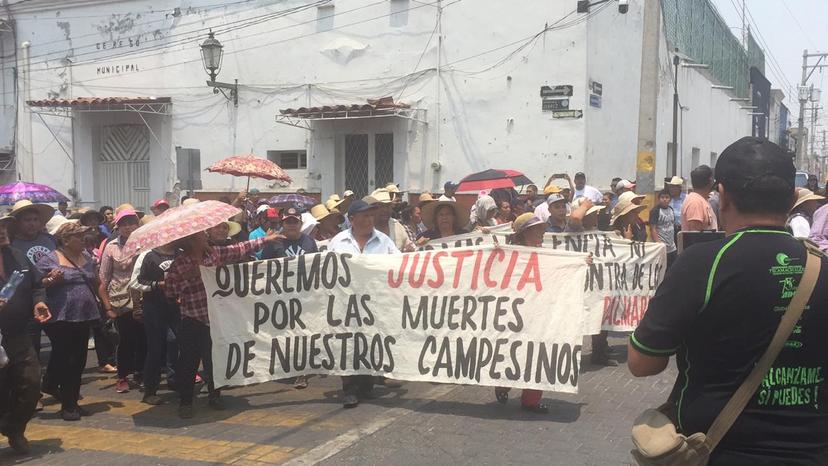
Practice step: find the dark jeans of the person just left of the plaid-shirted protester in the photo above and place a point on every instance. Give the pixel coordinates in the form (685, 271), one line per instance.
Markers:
(162, 347)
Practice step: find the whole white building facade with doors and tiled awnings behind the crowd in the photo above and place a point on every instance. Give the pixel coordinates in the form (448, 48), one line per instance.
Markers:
(108, 93)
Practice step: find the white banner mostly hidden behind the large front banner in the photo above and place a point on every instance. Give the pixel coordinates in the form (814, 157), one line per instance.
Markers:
(620, 282)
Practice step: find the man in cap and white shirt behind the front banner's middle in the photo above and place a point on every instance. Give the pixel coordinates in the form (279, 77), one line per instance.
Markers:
(361, 238)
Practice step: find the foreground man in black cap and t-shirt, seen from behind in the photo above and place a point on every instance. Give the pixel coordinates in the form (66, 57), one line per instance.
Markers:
(718, 309)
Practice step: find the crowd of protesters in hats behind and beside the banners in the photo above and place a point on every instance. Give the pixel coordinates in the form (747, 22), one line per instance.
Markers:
(147, 318)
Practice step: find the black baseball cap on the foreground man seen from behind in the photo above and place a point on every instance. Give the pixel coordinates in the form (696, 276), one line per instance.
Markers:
(755, 164)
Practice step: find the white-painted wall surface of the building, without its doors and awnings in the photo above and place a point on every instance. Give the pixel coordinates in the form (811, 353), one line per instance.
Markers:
(489, 113)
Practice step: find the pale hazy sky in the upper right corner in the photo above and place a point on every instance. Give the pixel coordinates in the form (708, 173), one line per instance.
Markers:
(784, 28)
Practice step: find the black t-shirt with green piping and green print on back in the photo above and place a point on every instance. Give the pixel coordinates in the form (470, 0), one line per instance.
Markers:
(717, 310)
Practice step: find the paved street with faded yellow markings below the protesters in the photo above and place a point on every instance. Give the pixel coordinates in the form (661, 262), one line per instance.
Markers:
(415, 424)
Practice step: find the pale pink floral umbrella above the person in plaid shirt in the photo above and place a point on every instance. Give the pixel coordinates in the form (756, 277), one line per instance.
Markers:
(178, 222)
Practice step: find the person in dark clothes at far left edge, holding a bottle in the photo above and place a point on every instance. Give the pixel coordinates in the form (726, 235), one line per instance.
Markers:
(20, 379)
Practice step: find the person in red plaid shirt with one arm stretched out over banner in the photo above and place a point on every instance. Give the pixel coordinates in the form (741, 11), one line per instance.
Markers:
(183, 284)
